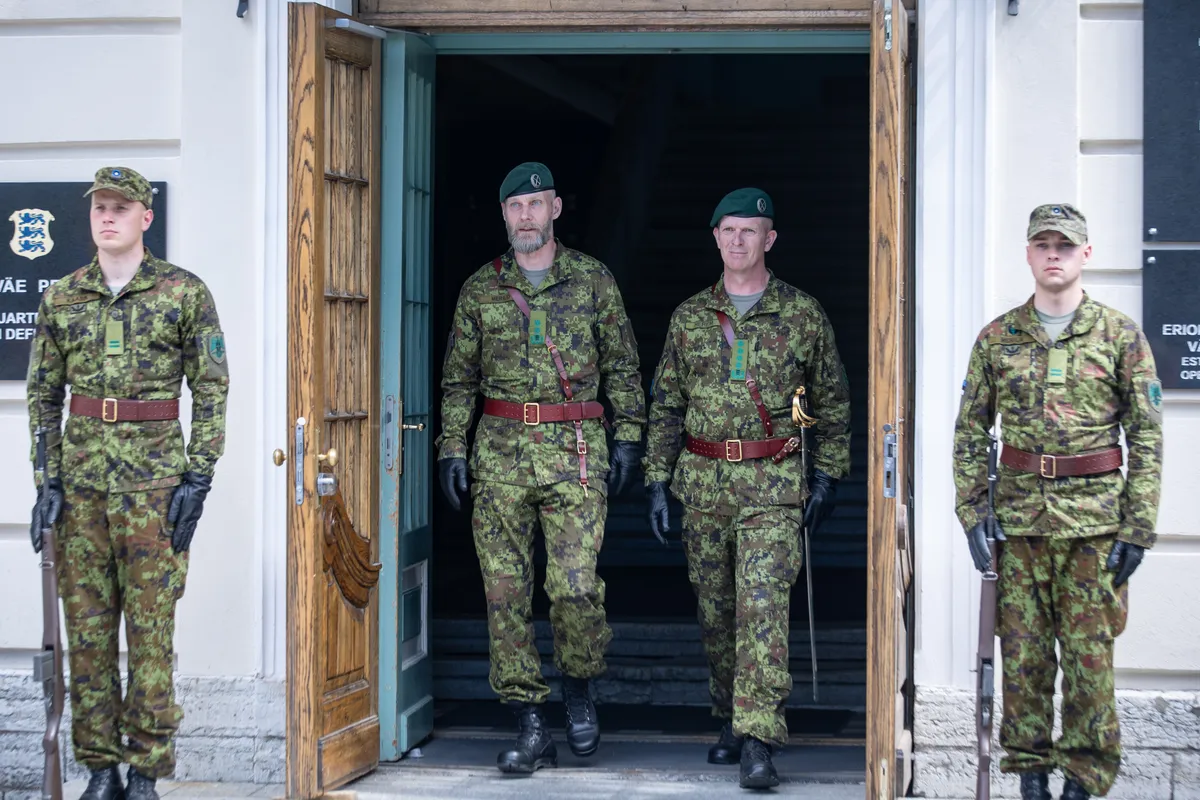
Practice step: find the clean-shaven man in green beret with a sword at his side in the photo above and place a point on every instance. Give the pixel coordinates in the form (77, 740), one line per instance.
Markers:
(722, 434)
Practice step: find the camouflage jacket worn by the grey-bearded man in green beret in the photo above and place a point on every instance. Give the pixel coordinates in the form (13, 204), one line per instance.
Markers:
(490, 354)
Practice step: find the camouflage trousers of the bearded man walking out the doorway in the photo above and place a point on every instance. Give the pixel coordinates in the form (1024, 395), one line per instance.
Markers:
(505, 521)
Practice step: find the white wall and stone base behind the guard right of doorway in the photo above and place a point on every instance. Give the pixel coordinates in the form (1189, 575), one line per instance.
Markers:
(1042, 107)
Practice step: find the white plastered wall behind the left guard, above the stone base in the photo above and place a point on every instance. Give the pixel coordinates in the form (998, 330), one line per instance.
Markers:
(112, 82)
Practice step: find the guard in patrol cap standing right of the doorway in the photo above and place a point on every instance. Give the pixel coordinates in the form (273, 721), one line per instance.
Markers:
(1067, 375)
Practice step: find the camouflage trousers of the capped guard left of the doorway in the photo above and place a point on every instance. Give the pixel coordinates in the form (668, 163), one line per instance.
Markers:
(116, 557)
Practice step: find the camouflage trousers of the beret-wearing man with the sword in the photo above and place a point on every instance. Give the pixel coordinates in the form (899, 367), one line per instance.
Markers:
(742, 567)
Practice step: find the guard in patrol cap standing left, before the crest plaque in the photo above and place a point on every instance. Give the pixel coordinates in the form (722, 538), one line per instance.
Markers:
(124, 333)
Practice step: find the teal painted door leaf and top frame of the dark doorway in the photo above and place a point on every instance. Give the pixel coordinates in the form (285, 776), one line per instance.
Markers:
(406, 663)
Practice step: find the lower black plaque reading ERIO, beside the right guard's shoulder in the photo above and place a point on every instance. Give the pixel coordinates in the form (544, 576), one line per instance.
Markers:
(1171, 315)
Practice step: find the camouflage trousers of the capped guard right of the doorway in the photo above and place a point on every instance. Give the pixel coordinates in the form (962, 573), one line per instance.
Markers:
(1058, 590)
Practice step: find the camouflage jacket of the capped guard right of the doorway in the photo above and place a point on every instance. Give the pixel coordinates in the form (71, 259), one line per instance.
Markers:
(1111, 383)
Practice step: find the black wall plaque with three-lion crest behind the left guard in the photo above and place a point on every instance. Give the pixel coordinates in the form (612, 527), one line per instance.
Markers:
(50, 239)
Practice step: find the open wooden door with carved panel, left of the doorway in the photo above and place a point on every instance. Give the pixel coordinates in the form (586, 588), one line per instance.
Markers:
(333, 725)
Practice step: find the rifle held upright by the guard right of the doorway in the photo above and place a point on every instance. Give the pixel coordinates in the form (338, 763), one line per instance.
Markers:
(986, 667)
